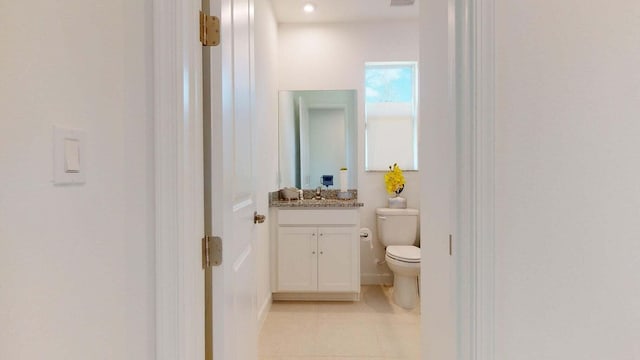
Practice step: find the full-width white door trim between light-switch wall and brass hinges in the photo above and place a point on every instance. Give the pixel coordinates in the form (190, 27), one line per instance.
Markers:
(178, 176)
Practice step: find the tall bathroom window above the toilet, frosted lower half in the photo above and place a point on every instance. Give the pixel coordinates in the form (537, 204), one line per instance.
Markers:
(391, 126)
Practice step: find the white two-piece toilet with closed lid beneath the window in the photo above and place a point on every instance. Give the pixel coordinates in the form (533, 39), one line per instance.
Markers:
(397, 231)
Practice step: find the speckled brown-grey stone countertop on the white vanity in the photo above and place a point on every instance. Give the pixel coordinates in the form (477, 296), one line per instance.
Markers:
(329, 200)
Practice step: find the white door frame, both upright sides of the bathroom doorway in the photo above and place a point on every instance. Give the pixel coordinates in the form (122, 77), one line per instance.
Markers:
(178, 177)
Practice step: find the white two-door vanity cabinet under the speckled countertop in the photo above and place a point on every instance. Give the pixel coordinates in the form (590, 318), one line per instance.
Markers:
(317, 254)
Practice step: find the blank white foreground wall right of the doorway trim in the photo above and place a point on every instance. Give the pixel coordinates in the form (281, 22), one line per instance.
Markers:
(567, 180)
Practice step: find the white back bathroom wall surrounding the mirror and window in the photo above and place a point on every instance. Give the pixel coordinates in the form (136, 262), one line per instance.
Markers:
(330, 57)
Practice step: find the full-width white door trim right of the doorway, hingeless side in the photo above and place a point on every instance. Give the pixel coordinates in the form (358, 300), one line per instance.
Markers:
(475, 95)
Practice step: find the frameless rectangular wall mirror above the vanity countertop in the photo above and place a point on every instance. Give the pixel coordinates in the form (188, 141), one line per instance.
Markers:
(317, 135)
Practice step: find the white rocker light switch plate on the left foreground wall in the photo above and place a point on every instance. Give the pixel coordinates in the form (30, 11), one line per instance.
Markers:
(69, 156)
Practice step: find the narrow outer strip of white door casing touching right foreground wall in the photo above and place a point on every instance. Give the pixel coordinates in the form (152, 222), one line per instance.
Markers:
(484, 178)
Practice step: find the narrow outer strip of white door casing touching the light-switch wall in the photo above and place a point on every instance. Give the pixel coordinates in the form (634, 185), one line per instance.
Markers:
(166, 110)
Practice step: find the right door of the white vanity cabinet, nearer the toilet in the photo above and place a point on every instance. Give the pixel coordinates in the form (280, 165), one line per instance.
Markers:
(338, 262)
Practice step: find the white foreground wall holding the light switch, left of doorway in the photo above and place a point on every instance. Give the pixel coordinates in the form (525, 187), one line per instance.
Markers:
(76, 262)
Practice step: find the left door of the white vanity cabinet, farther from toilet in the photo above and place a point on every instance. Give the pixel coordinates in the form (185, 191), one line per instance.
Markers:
(297, 259)
